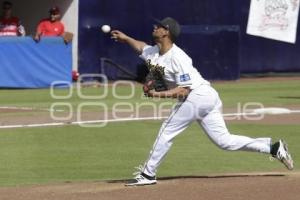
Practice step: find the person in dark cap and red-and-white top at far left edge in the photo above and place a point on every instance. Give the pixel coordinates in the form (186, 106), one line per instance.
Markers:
(10, 25)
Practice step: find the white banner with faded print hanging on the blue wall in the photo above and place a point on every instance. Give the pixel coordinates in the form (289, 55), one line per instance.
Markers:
(274, 19)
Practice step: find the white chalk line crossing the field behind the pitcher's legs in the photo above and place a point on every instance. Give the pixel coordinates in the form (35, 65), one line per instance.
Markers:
(270, 111)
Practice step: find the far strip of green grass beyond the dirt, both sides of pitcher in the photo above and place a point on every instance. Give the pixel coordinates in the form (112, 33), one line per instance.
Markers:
(275, 93)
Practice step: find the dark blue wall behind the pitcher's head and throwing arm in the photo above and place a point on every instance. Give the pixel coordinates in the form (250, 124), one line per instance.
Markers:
(213, 34)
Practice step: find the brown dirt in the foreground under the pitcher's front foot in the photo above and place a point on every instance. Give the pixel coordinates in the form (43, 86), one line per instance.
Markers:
(270, 187)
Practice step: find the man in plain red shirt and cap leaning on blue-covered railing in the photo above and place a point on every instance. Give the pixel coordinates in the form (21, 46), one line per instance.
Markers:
(51, 26)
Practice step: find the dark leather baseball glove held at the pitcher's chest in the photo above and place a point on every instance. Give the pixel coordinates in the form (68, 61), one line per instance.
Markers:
(154, 79)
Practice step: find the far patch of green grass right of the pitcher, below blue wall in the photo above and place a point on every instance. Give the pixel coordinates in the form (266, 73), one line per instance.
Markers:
(274, 93)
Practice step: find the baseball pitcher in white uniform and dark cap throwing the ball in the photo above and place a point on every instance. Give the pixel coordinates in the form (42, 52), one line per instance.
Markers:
(197, 101)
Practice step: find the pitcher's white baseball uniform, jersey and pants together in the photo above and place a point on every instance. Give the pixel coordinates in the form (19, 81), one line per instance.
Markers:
(202, 105)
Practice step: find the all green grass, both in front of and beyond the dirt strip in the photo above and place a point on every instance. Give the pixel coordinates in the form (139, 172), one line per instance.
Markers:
(71, 153)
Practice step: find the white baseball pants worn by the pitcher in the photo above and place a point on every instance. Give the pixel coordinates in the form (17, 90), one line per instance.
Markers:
(203, 105)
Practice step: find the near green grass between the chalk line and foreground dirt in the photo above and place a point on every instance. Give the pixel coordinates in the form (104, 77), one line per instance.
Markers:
(70, 153)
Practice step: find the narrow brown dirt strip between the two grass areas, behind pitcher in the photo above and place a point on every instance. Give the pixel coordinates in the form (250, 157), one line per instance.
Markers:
(43, 117)
